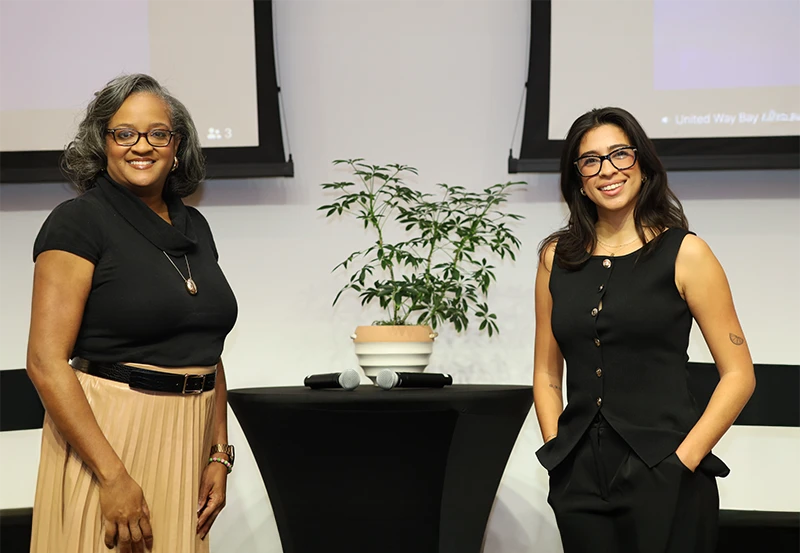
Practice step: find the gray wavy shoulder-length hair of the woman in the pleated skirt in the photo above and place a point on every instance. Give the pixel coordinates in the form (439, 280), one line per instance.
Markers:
(85, 156)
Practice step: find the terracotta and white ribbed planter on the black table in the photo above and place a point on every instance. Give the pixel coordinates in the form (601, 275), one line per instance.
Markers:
(399, 348)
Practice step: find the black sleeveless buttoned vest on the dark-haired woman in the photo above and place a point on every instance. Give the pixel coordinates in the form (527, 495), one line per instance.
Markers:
(628, 359)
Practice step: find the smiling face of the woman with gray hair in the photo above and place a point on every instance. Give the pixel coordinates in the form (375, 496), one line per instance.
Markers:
(141, 167)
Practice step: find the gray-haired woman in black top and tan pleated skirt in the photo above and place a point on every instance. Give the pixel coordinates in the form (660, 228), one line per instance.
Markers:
(129, 317)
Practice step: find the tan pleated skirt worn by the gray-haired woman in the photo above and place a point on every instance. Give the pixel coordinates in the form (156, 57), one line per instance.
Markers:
(163, 440)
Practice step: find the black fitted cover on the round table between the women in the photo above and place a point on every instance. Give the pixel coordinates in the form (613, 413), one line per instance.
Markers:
(382, 471)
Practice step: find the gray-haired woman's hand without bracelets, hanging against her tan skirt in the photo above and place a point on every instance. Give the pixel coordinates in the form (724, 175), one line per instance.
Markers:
(126, 517)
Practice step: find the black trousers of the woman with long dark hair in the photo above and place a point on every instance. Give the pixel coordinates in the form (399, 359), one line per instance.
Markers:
(607, 500)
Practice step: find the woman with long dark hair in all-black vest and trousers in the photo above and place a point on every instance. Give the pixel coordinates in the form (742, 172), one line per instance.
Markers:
(617, 289)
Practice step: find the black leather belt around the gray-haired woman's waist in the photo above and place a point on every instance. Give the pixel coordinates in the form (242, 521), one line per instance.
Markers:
(143, 379)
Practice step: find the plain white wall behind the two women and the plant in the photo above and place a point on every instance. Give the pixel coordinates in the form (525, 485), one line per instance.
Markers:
(436, 85)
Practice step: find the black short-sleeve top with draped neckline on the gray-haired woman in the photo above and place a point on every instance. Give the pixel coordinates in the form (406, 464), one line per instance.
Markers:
(139, 309)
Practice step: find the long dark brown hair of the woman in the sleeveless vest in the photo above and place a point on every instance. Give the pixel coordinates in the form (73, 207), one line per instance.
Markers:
(657, 208)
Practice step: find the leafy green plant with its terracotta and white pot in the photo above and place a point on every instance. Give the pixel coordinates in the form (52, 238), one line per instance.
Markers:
(436, 273)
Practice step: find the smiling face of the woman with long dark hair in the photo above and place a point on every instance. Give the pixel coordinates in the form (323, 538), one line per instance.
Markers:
(611, 189)
